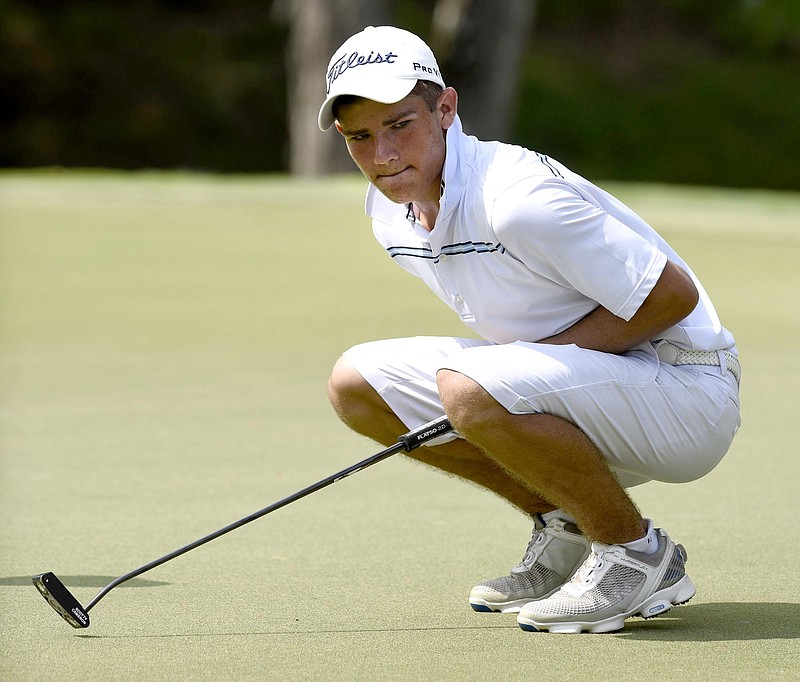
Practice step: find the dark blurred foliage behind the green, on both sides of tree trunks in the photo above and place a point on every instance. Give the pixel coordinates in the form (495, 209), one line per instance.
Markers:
(679, 91)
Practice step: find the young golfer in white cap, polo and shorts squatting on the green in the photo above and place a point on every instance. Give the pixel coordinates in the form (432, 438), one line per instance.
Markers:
(595, 362)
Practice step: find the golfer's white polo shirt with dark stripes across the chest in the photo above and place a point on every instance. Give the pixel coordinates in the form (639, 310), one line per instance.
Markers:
(523, 248)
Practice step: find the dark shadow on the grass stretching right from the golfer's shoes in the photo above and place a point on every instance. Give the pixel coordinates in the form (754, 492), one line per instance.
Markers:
(719, 622)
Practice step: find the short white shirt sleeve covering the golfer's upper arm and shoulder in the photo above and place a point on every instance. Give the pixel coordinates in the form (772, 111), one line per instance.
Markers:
(559, 234)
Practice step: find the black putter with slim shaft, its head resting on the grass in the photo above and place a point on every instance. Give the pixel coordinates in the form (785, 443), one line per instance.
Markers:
(70, 609)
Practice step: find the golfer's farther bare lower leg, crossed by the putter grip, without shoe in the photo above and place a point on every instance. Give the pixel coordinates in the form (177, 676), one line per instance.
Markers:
(363, 410)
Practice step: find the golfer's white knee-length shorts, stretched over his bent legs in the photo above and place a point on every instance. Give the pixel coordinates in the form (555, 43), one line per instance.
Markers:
(651, 421)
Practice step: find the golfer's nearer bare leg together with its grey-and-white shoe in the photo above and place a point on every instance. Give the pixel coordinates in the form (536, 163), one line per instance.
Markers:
(633, 568)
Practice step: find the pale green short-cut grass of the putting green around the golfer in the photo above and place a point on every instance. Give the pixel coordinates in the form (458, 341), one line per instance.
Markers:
(164, 347)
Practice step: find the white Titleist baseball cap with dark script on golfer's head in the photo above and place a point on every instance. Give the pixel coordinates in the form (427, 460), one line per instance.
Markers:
(382, 63)
